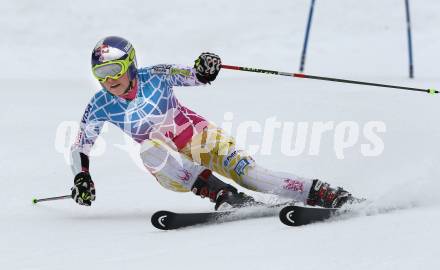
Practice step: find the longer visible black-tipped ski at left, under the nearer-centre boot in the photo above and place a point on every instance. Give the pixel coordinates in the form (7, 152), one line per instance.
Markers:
(167, 220)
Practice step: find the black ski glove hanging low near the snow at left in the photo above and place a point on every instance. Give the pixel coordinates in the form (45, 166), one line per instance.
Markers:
(83, 191)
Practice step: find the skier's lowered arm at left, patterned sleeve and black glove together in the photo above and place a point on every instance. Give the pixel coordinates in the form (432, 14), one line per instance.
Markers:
(83, 191)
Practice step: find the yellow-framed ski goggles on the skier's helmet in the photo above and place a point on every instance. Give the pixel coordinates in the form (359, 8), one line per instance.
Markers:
(113, 69)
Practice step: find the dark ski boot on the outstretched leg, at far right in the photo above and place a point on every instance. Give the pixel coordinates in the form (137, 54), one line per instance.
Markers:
(321, 194)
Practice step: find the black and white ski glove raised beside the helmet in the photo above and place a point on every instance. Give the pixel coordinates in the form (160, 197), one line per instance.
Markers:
(207, 67)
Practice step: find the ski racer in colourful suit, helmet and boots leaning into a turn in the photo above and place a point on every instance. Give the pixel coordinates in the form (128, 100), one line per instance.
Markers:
(178, 146)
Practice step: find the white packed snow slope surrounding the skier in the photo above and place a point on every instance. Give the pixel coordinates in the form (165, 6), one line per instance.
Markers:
(46, 81)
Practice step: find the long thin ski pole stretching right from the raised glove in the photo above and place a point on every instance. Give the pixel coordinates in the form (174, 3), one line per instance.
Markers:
(305, 76)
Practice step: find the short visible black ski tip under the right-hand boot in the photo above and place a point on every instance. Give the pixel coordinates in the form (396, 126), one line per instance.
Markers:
(293, 215)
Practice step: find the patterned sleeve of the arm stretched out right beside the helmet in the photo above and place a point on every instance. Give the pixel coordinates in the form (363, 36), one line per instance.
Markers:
(177, 75)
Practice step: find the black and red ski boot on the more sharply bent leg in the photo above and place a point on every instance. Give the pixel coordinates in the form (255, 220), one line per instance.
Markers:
(220, 193)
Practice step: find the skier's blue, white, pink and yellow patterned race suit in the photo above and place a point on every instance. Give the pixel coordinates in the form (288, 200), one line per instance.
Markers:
(169, 131)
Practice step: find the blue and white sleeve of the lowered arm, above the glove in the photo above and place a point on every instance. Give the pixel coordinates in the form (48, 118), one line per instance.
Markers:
(89, 130)
